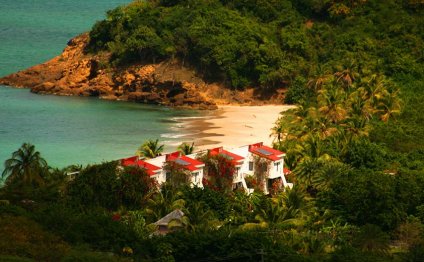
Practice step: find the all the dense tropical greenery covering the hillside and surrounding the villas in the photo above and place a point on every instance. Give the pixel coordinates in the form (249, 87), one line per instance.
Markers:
(354, 142)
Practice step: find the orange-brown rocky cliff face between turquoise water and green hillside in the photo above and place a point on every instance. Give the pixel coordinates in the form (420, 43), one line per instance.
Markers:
(167, 83)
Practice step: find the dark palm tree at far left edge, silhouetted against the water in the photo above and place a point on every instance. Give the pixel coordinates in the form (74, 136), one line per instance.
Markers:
(26, 165)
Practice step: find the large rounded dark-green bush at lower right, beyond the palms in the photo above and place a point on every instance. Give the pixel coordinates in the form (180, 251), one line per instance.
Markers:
(363, 197)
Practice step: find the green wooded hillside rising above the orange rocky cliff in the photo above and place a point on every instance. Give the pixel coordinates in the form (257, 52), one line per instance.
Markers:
(267, 43)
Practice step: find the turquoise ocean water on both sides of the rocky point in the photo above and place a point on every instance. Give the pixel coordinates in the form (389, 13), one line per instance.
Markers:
(68, 130)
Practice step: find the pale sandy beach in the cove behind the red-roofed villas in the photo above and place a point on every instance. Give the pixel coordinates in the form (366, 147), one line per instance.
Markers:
(233, 126)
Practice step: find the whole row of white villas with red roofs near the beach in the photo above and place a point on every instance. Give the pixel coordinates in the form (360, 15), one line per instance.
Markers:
(243, 159)
